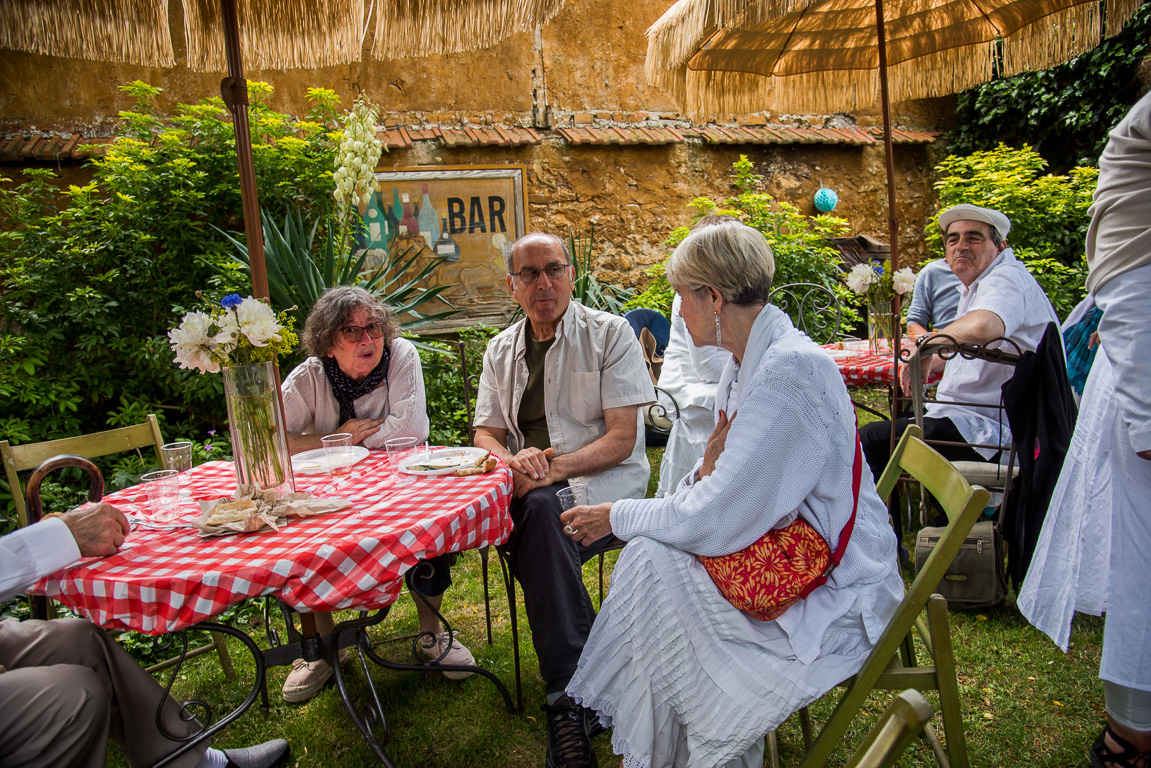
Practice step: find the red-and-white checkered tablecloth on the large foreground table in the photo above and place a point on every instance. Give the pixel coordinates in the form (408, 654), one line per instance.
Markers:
(166, 581)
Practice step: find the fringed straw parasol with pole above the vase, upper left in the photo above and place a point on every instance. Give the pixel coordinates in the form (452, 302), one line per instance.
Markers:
(270, 35)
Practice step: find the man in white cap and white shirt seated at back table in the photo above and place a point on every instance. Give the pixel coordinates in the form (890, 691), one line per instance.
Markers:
(997, 298)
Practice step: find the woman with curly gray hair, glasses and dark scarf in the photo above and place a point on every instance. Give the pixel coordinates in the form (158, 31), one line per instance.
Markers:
(363, 379)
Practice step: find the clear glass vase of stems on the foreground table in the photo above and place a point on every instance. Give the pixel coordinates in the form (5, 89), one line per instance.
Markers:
(256, 421)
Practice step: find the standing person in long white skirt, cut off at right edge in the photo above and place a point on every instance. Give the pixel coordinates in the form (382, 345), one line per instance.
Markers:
(1109, 463)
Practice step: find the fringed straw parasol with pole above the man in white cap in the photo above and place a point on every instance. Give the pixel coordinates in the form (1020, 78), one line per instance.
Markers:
(839, 56)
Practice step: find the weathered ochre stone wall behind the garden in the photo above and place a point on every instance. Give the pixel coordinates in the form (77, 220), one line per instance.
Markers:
(584, 69)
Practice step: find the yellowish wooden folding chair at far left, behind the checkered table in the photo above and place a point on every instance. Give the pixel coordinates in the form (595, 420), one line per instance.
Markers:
(42, 459)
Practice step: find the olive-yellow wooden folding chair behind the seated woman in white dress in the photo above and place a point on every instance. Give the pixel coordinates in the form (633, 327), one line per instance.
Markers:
(893, 664)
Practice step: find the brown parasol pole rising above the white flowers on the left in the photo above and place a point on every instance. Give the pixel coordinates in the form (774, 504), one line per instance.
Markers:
(234, 90)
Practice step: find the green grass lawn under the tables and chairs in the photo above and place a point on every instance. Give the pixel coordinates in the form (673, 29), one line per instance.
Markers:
(1025, 703)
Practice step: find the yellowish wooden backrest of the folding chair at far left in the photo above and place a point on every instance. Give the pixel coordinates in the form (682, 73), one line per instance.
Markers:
(21, 459)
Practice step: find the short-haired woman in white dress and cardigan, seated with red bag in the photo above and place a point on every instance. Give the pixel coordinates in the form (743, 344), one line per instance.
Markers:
(682, 676)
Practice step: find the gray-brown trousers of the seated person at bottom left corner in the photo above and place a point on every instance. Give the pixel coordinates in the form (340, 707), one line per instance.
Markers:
(66, 687)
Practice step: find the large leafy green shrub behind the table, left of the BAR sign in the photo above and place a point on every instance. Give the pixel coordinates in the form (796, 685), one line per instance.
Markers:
(94, 279)
